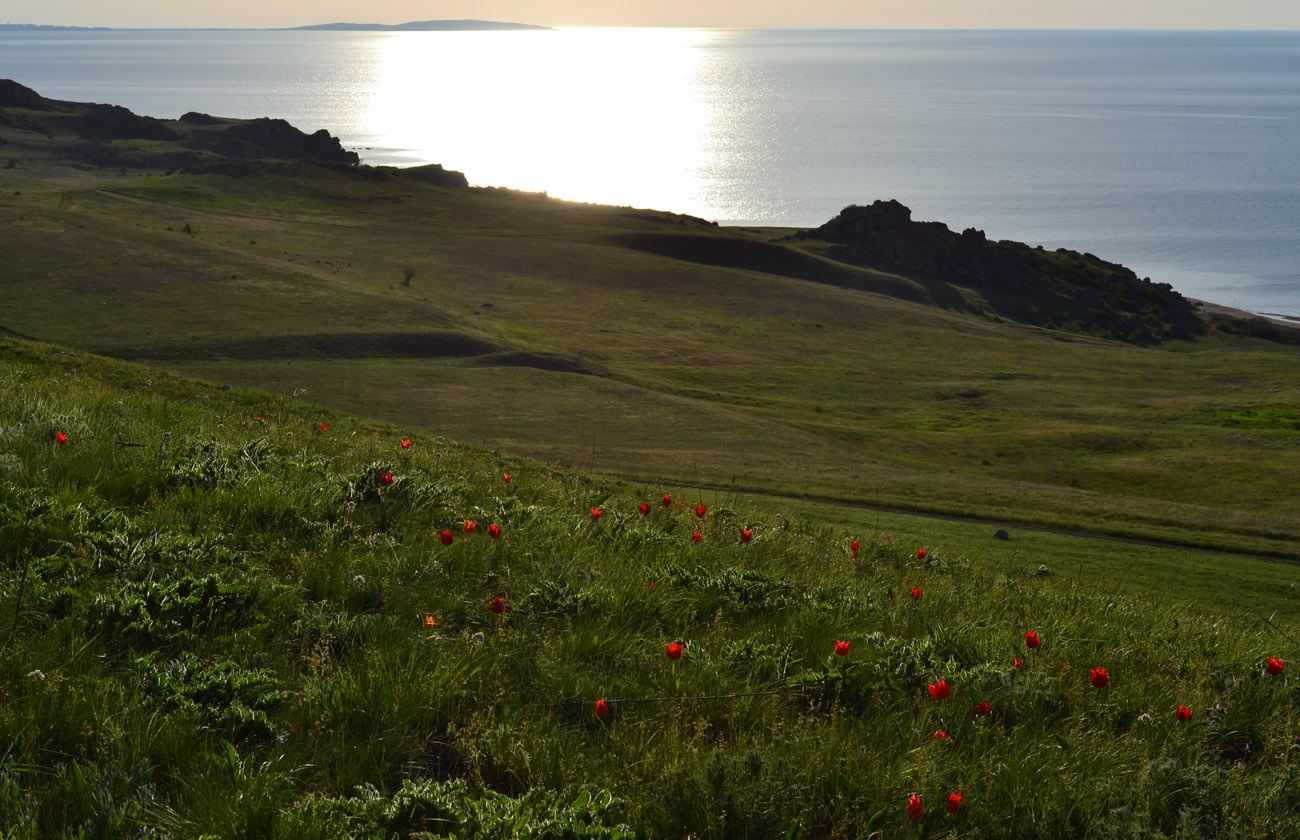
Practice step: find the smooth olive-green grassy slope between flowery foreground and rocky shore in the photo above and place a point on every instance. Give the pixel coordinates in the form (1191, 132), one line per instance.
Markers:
(595, 349)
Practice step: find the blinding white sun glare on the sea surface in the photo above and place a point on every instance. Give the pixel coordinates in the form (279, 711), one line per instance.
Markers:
(596, 115)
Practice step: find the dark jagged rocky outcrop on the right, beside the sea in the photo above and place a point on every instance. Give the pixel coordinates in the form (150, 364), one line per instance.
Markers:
(1061, 289)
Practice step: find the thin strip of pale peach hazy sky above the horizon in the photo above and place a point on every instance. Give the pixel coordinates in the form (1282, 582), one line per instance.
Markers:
(722, 14)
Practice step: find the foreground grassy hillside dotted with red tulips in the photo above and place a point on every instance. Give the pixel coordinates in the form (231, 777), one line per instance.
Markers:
(237, 616)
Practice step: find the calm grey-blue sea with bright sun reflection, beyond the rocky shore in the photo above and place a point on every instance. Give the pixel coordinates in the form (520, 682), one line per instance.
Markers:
(1177, 154)
